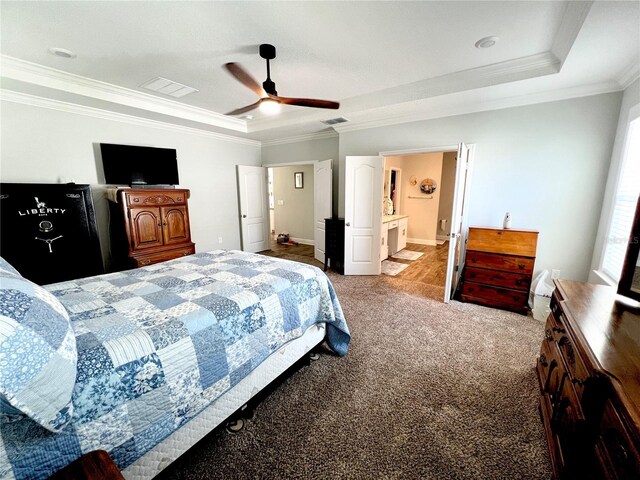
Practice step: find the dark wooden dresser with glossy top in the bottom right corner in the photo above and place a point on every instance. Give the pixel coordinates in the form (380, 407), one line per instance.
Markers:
(589, 375)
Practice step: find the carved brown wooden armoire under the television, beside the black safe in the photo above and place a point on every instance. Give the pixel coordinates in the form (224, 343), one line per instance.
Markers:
(156, 226)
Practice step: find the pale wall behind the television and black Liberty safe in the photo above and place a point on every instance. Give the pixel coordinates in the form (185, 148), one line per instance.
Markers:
(51, 146)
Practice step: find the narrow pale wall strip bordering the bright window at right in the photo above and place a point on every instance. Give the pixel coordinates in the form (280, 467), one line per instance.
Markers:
(630, 100)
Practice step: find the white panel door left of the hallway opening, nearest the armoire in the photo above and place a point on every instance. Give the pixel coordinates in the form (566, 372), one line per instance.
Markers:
(254, 208)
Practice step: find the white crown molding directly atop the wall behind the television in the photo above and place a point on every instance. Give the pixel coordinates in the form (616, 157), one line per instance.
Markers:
(41, 102)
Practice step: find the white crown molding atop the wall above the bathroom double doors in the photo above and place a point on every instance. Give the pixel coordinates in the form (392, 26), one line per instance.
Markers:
(426, 112)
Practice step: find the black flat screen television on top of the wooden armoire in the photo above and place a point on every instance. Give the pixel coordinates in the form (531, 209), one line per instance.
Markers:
(137, 165)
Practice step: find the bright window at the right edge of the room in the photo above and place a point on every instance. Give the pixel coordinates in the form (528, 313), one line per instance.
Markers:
(624, 206)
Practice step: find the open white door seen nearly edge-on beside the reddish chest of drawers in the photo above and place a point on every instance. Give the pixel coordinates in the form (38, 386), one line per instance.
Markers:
(456, 245)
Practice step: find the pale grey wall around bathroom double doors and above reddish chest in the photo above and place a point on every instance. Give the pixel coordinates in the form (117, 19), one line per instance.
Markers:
(545, 163)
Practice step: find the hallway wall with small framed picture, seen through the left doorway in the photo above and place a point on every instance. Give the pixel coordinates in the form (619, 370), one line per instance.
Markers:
(295, 216)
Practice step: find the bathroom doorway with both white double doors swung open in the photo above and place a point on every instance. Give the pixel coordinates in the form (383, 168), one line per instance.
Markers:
(367, 179)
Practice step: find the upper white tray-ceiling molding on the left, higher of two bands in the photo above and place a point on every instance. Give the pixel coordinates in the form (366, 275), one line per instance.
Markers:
(24, 71)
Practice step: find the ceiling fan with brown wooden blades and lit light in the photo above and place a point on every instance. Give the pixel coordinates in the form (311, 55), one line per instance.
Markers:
(269, 100)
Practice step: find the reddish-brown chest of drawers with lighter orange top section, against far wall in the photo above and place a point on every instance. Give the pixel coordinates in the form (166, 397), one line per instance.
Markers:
(498, 267)
